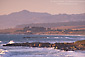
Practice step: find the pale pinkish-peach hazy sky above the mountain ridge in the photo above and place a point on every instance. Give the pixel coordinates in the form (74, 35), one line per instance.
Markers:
(49, 6)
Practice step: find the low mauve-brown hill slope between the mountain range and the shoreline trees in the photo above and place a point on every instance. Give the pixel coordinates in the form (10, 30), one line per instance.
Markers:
(70, 25)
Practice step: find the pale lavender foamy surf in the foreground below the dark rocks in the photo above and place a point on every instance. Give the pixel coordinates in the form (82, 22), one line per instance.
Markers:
(40, 52)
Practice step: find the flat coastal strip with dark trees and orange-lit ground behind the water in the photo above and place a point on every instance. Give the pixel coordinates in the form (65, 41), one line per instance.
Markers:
(43, 30)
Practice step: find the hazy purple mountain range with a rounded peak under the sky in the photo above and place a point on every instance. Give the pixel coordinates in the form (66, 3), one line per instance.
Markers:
(27, 17)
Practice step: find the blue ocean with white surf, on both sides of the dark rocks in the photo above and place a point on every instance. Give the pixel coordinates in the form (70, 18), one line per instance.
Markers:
(22, 51)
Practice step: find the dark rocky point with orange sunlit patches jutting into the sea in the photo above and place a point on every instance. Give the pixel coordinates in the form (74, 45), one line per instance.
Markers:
(78, 45)
